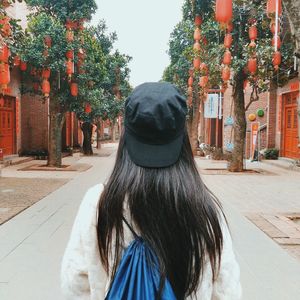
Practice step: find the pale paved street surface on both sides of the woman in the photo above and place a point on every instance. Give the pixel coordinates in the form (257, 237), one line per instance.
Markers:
(32, 243)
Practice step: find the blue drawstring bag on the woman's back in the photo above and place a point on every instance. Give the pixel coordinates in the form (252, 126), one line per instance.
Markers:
(137, 276)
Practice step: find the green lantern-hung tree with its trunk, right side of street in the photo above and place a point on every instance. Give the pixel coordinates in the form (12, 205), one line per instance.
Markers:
(245, 14)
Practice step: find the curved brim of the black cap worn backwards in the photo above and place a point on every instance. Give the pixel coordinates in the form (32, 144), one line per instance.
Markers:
(153, 156)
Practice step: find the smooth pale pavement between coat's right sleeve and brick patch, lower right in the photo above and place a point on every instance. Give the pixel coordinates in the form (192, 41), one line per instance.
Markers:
(267, 271)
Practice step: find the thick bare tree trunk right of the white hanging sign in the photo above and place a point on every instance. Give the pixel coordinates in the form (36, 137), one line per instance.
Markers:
(236, 162)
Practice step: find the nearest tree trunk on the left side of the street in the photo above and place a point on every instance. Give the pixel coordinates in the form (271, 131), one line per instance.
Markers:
(55, 135)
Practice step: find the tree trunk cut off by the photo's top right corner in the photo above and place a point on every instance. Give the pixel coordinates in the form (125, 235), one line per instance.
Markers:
(292, 8)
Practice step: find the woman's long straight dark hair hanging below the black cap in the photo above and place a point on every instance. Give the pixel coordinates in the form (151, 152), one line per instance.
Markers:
(174, 212)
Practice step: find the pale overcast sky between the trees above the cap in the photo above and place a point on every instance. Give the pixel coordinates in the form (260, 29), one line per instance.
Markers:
(143, 28)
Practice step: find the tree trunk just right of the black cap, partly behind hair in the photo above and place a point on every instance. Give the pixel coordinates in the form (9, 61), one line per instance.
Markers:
(195, 121)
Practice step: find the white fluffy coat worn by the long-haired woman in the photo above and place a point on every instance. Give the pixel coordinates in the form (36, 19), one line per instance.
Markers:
(83, 276)
